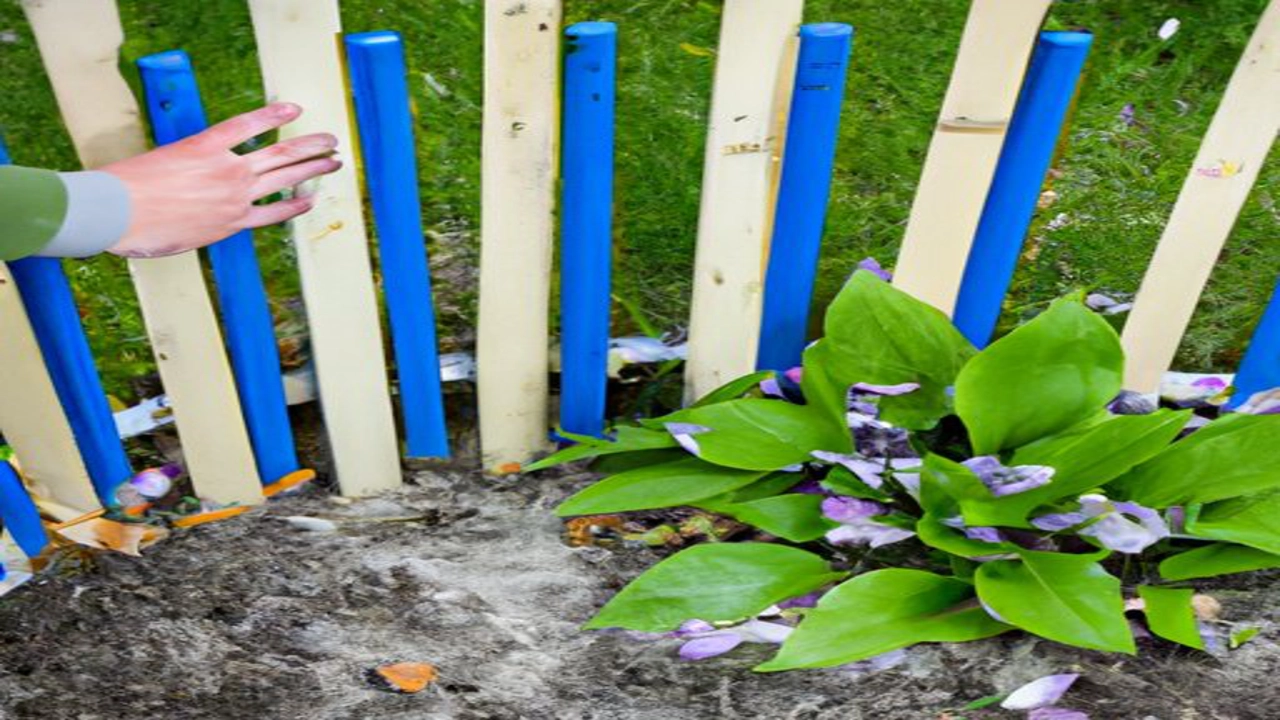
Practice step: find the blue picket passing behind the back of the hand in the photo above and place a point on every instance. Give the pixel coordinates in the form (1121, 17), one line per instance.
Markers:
(176, 112)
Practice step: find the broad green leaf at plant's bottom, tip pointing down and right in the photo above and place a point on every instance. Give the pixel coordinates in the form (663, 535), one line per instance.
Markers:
(1068, 599)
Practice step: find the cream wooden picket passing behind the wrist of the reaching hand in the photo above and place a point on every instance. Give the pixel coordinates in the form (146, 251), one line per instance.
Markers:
(80, 44)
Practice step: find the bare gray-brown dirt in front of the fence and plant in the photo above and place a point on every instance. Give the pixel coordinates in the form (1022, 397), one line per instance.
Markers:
(257, 618)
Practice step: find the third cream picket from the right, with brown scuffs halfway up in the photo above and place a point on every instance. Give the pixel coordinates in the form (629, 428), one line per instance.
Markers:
(755, 71)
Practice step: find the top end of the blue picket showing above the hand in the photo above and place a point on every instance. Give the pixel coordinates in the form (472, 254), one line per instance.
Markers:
(173, 97)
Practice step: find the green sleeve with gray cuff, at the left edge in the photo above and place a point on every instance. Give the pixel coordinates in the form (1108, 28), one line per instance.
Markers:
(61, 215)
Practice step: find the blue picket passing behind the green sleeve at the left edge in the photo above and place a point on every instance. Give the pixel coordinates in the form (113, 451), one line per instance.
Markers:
(57, 325)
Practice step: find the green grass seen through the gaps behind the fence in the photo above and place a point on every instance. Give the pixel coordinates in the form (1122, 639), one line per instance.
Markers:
(1116, 188)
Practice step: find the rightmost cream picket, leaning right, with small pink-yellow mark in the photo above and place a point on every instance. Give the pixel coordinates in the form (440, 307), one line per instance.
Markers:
(1226, 168)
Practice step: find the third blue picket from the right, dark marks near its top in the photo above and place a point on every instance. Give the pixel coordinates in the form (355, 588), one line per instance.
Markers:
(806, 186)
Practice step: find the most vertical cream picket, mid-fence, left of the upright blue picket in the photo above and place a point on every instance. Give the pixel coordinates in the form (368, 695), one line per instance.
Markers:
(519, 168)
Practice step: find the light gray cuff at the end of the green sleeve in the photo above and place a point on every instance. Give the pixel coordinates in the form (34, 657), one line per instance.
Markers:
(98, 215)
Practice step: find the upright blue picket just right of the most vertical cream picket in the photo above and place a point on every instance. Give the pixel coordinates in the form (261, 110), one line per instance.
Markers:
(587, 224)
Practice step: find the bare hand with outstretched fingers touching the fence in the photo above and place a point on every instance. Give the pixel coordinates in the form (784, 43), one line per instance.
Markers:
(198, 192)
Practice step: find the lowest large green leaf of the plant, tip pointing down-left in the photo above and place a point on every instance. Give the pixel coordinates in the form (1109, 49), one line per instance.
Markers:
(880, 612)
